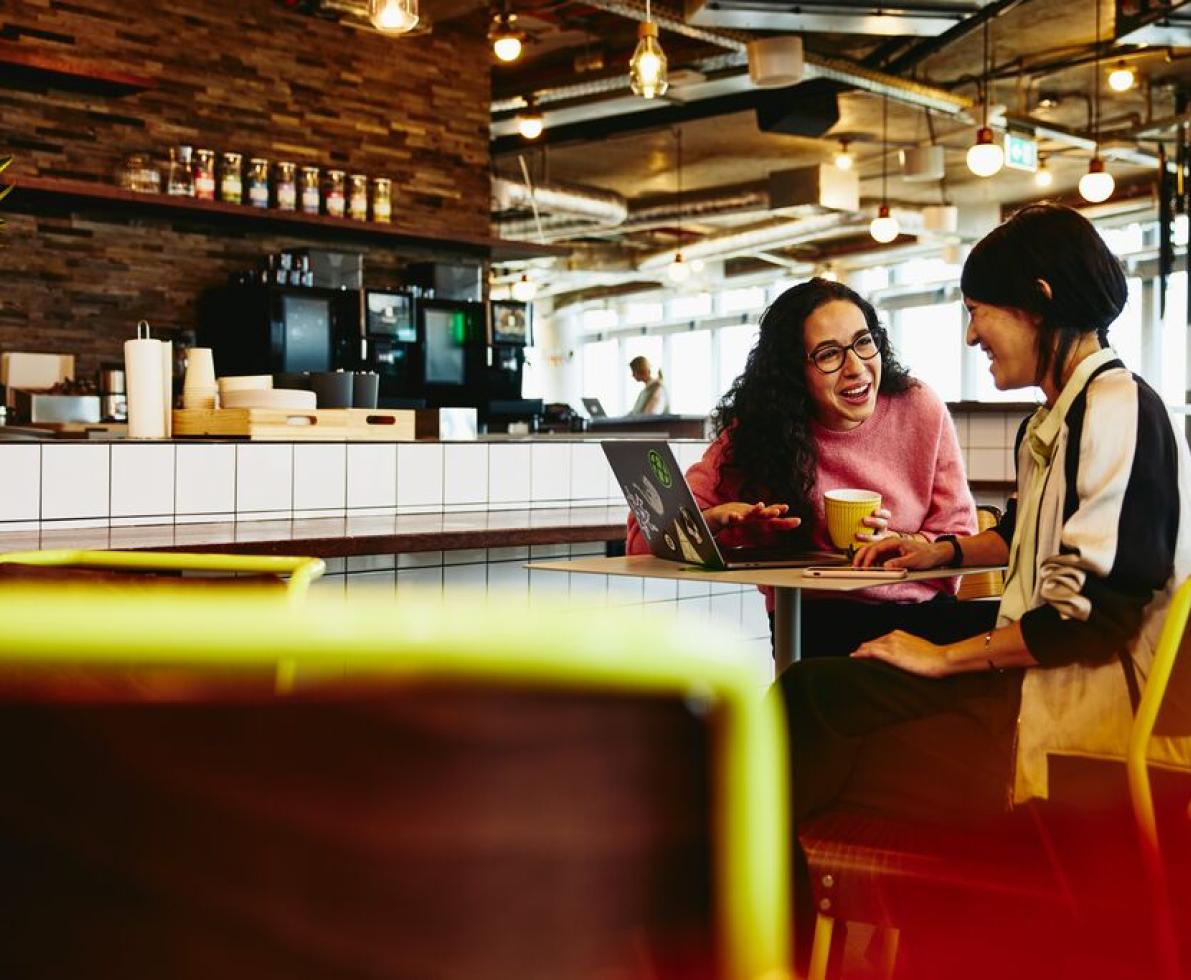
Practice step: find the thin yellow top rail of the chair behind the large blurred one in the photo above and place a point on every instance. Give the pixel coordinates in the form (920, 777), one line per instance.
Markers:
(302, 571)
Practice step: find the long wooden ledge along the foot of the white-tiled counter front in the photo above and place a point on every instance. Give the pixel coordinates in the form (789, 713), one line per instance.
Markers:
(341, 538)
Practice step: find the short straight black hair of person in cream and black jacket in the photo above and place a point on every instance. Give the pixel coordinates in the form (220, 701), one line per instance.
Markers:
(1059, 246)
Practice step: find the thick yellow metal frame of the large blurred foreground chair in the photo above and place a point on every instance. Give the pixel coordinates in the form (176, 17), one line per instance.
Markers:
(421, 638)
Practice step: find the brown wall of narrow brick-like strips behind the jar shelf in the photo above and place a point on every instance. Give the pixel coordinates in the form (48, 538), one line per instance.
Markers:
(242, 76)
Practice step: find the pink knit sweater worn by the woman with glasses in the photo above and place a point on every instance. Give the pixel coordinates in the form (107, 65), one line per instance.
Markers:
(907, 451)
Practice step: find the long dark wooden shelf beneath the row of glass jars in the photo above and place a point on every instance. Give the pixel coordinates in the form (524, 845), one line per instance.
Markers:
(42, 195)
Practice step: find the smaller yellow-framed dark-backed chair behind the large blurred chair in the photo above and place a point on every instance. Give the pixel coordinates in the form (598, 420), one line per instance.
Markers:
(126, 569)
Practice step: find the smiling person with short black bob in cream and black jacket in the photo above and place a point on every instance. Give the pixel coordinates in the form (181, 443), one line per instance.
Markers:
(1096, 541)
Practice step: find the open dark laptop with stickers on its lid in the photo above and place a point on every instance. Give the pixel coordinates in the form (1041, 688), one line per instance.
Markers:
(671, 520)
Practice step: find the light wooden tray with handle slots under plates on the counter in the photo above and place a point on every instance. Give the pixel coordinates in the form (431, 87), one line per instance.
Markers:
(313, 426)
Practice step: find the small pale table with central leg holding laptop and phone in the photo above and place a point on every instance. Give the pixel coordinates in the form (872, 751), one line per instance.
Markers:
(788, 585)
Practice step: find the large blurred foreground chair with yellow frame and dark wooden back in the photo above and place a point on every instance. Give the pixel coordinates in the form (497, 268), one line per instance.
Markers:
(448, 790)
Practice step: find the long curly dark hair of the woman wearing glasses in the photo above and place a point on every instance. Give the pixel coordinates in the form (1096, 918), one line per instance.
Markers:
(768, 411)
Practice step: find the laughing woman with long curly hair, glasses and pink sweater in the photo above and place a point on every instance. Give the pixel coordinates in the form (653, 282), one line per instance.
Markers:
(825, 405)
